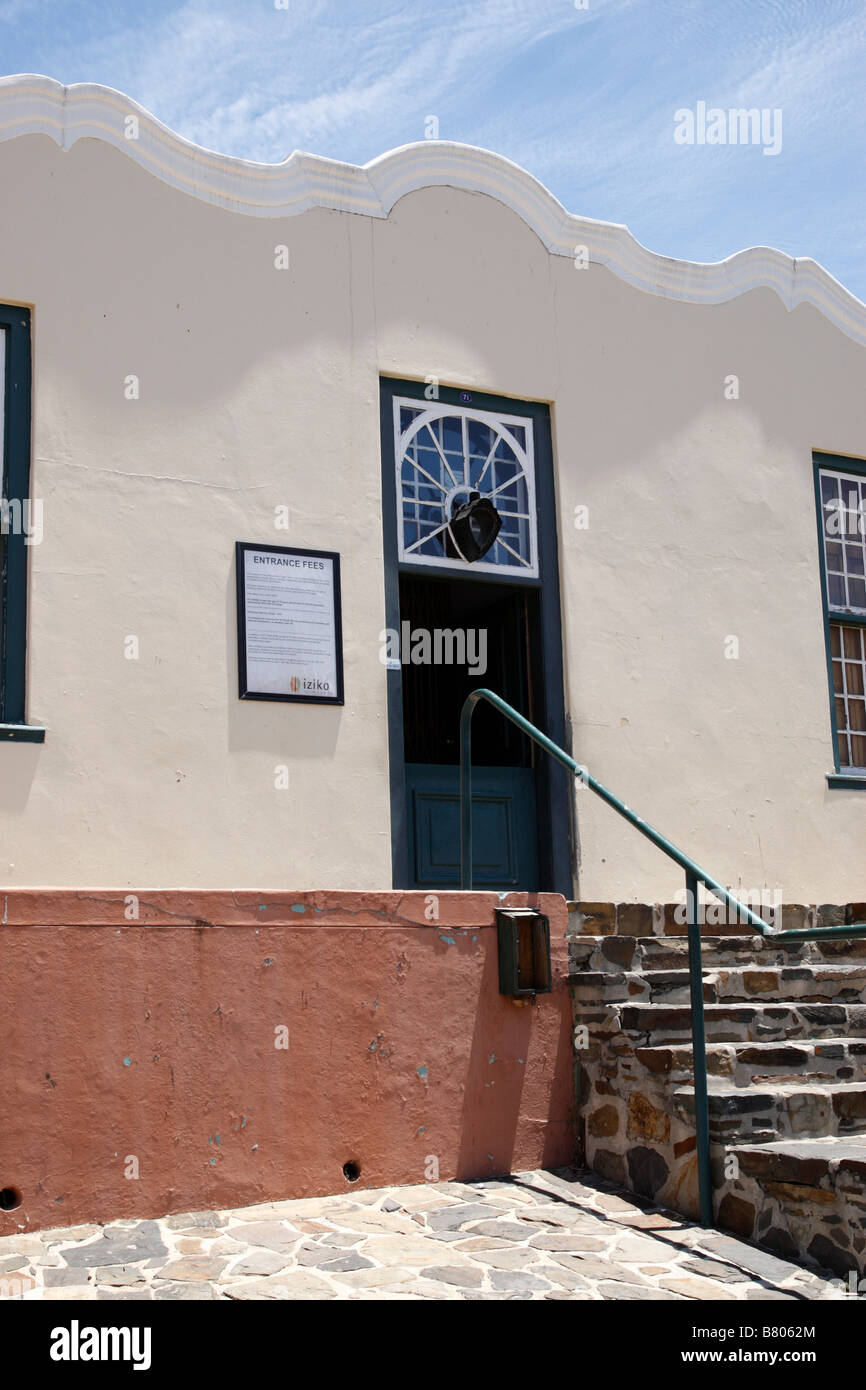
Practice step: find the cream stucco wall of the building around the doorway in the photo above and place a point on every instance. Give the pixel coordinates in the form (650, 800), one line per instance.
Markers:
(261, 389)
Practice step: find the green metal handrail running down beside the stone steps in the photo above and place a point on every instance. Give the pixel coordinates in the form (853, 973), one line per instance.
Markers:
(694, 876)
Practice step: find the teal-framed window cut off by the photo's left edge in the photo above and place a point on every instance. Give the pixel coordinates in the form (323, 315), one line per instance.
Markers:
(16, 516)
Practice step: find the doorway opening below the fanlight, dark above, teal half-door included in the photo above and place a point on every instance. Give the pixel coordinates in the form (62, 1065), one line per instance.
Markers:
(469, 635)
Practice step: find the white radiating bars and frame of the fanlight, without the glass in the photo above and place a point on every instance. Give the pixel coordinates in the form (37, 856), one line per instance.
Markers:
(525, 565)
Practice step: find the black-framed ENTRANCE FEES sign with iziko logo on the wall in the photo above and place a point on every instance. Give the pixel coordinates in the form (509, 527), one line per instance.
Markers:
(290, 632)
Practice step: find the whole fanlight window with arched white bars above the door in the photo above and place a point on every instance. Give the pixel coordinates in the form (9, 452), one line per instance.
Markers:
(458, 469)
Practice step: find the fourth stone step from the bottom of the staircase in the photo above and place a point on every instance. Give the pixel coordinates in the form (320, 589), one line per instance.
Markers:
(661, 1024)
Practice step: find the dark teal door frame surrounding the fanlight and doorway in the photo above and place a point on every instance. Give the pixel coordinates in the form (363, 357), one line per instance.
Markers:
(554, 792)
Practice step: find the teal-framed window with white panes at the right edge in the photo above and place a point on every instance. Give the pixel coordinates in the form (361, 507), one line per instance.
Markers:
(840, 487)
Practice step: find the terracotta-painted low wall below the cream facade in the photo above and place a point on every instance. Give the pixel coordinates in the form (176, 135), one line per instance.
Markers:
(149, 1047)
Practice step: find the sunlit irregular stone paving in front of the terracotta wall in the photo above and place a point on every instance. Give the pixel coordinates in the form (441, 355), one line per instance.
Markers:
(533, 1236)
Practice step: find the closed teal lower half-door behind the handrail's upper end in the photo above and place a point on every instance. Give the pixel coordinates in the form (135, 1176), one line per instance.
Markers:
(504, 826)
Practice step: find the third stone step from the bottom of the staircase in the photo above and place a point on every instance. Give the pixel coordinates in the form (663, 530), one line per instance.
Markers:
(751, 1064)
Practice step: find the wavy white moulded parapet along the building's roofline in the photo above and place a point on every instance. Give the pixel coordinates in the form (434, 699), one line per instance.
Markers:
(40, 106)
